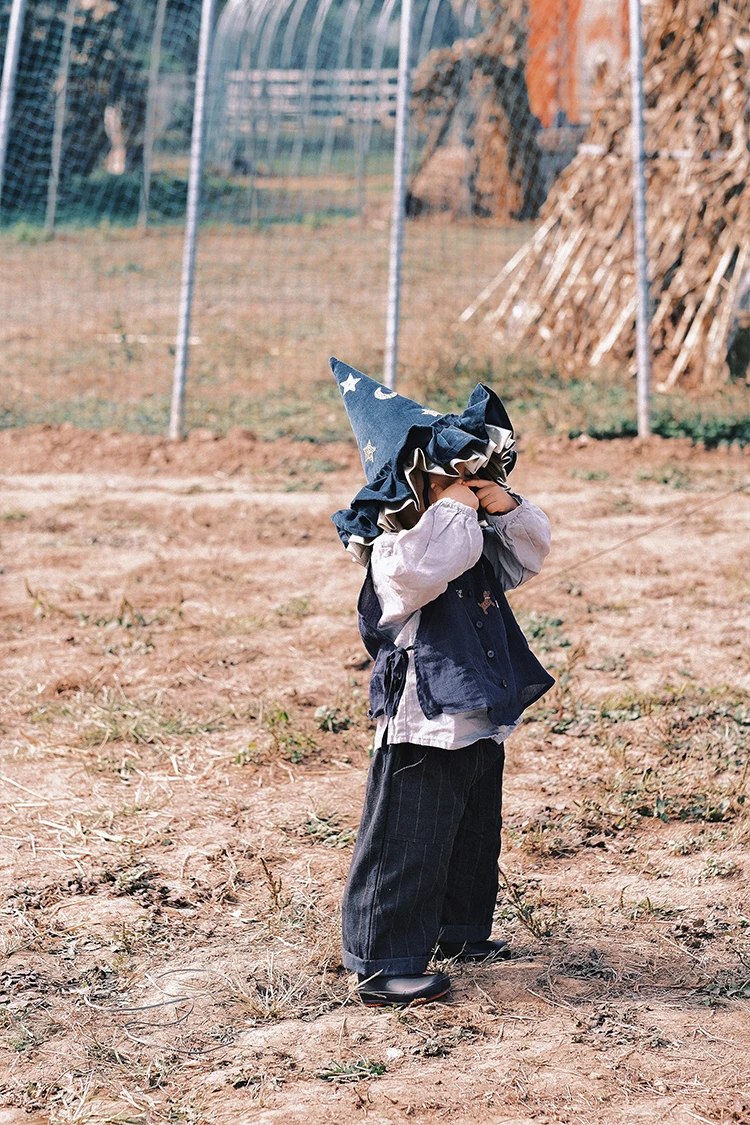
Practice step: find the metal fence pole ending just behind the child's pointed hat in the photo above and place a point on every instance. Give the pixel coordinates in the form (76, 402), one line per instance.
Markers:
(401, 160)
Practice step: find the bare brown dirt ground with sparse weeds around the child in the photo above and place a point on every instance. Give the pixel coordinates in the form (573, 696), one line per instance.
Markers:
(185, 748)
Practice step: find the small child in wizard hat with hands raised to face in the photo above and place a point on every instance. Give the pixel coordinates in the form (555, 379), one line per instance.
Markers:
(441, 538)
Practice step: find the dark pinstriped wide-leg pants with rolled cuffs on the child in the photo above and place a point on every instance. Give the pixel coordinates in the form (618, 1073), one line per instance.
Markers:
(426, 861)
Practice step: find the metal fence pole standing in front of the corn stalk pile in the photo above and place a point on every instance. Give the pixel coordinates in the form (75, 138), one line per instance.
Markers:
(644, 311)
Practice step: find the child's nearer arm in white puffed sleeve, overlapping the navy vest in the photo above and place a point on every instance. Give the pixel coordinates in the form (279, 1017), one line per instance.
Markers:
(414, 568)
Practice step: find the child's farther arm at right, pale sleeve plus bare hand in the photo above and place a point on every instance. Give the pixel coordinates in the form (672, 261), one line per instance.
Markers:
(518, 539)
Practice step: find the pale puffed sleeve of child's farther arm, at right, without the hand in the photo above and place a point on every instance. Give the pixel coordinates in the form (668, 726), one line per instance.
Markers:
(518, 543)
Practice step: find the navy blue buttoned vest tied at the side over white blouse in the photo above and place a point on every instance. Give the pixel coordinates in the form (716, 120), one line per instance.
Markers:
(469, 653)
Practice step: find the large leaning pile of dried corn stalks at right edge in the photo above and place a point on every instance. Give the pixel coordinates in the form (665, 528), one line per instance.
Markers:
(570, 295)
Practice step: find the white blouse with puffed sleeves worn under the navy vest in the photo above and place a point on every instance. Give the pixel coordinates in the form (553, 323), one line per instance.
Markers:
(411, 569)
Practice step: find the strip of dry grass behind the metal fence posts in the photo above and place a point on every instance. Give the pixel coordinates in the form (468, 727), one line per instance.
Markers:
(91, 320)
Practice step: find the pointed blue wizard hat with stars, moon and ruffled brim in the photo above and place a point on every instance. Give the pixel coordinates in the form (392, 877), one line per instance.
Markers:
(396, 437)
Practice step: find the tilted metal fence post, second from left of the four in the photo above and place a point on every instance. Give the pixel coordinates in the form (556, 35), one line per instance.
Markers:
(192, 221)
